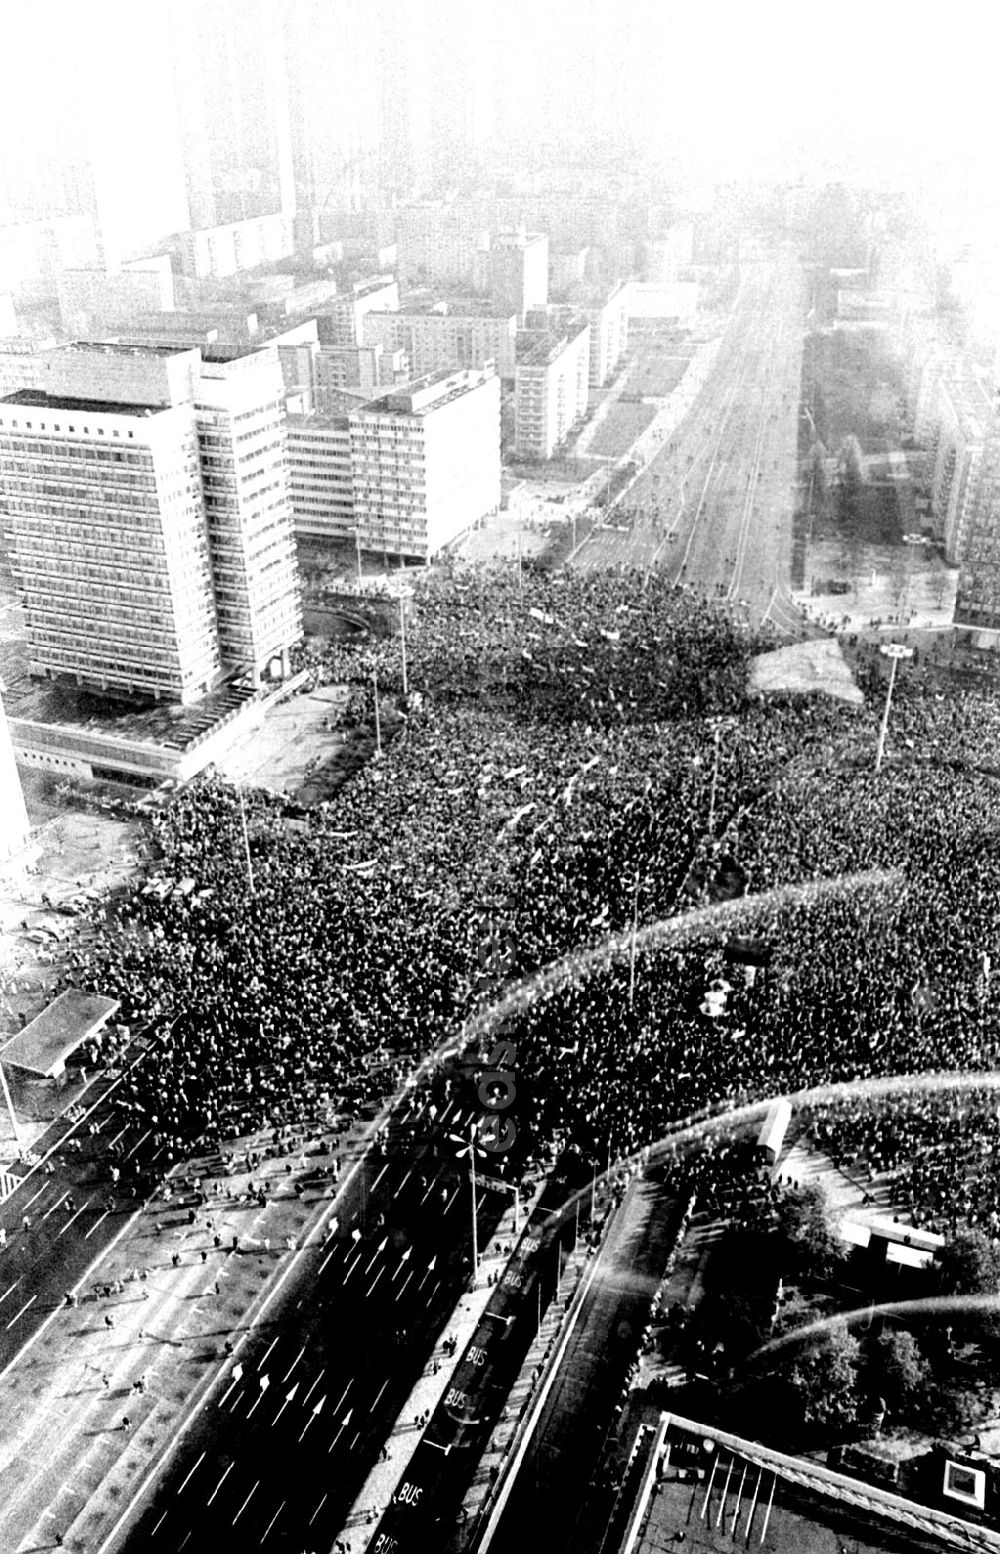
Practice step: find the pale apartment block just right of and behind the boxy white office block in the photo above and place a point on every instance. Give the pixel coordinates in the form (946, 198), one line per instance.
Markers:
(552, 388)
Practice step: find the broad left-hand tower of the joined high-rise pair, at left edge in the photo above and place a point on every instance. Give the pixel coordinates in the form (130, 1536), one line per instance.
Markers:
(105, 521)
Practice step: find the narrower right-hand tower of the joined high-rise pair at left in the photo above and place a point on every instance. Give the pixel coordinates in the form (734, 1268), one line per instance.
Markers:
(243, 444)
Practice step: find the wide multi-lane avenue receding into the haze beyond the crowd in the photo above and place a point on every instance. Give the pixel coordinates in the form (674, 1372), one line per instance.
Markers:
(715, 506)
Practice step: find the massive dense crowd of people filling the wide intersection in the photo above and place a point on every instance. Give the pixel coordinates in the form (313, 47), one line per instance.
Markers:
(583, 758)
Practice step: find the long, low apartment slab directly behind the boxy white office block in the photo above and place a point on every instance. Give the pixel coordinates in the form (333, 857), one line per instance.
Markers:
(467, 335)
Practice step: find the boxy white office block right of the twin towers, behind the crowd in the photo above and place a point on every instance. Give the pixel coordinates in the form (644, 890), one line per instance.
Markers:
(426, 462)
